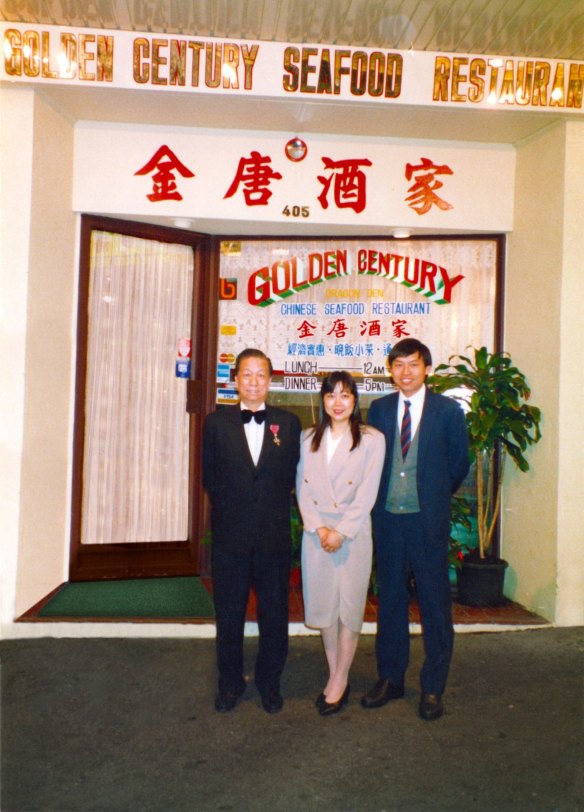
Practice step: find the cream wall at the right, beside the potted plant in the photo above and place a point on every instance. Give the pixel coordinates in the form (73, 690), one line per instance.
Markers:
(543, 537)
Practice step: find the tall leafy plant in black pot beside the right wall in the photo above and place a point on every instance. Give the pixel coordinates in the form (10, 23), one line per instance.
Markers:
(501, 425)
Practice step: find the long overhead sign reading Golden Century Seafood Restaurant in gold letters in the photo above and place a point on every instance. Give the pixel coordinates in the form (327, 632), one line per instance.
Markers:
(179, 64)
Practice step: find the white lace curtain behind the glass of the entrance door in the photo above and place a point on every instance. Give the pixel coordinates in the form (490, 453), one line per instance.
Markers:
(136, 454)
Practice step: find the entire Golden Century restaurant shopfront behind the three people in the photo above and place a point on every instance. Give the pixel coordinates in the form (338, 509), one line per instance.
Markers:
(183, 181)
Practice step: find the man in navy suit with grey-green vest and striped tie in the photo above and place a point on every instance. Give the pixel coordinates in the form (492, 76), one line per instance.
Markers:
(426, 461)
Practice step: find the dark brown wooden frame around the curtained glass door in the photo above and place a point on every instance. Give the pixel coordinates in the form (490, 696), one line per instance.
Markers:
(89, 562)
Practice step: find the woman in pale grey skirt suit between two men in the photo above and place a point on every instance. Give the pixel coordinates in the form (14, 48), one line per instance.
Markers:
(336, 485)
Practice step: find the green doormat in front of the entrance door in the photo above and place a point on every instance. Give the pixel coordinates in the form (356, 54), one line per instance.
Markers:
(142, 598)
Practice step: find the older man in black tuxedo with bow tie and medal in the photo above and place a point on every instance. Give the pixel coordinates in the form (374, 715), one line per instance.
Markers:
(250, 454)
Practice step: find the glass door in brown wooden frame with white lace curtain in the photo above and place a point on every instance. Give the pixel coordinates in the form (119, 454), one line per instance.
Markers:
(136, 494)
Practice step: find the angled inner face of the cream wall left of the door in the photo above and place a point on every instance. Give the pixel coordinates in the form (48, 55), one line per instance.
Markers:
(49, 351)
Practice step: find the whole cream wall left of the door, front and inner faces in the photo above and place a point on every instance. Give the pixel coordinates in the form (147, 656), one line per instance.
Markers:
(38, 273)
